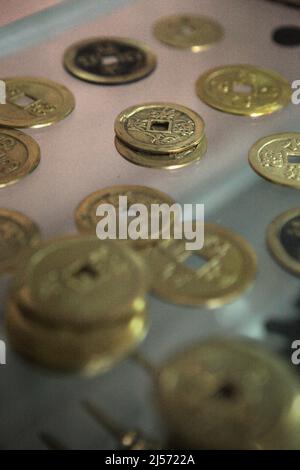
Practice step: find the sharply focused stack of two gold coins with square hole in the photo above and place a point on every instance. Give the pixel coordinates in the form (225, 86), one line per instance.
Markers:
(160, 135)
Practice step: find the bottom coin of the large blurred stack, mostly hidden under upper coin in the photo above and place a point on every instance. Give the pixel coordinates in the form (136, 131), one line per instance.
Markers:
(88, 350)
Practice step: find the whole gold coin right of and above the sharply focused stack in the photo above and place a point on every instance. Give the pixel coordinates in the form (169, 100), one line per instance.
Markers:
(244, 90)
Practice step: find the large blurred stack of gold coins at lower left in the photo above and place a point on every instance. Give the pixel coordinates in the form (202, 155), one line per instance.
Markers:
(78, 304)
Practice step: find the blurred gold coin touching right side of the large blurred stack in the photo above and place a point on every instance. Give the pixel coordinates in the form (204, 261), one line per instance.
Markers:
(229, 269)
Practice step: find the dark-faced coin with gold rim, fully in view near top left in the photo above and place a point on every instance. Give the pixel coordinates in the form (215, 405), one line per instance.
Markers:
(109, 60)
